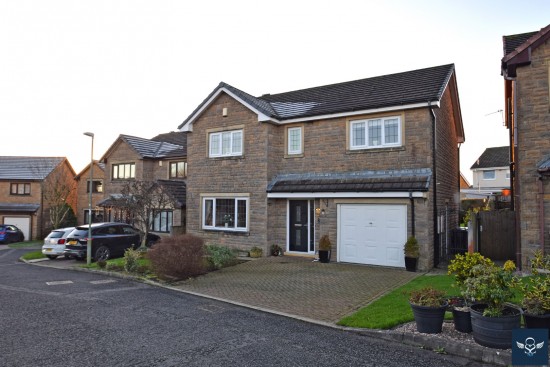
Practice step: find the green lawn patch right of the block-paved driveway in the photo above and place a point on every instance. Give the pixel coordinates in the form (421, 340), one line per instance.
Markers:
(393, 309)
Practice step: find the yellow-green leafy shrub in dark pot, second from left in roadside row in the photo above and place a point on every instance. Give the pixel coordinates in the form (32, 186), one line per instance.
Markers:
(461, 267)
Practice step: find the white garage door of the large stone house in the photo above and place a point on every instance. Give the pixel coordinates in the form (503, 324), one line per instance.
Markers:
(372, 234)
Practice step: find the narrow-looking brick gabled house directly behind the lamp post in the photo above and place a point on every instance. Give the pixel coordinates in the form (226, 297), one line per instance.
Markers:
(83, 193)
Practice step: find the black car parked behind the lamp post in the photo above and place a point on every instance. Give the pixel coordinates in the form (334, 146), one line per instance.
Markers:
(109, 240)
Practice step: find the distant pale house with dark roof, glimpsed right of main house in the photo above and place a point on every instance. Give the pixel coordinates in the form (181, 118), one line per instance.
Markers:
(491, 174)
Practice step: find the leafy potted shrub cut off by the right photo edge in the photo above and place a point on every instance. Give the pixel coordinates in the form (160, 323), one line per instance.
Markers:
(536, 294)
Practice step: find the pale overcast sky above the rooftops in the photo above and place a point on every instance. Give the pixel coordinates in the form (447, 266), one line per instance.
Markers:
(141, 67)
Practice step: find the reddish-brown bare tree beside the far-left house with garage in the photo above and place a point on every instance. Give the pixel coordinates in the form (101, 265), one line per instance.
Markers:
(58, 193)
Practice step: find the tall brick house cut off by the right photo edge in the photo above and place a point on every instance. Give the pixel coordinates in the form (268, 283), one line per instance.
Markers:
(526, 71)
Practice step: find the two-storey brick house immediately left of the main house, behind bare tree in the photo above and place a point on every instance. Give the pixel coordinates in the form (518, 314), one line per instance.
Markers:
(158, 160)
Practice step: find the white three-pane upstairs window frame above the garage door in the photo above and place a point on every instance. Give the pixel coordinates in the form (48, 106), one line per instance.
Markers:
(367, 139)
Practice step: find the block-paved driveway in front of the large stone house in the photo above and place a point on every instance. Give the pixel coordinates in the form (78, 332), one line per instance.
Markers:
(299, 286)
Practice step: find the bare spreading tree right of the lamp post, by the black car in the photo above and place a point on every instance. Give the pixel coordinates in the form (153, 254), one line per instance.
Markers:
(141, 199)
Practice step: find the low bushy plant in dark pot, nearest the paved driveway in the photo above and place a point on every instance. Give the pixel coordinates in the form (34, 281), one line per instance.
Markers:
(428, 306)
